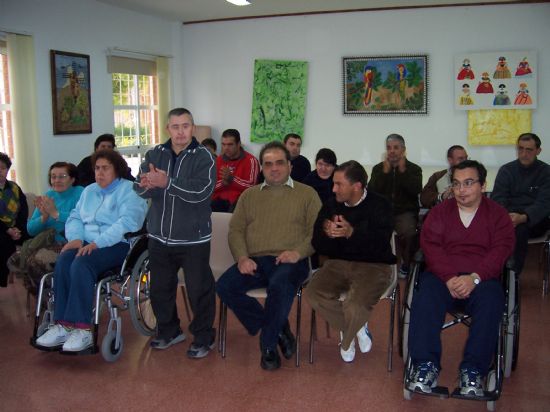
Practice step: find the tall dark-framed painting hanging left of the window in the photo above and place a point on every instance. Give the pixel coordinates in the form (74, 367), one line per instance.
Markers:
(71, 99)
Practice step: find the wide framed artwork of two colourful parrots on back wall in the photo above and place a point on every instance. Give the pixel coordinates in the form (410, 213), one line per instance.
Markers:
(385, 85)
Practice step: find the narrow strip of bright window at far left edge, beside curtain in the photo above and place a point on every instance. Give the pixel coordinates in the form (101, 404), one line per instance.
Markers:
(6, 135)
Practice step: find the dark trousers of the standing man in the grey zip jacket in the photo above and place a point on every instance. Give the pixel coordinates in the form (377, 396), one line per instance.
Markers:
(164, 262)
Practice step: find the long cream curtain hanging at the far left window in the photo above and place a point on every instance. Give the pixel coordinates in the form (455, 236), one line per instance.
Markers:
(22, 75)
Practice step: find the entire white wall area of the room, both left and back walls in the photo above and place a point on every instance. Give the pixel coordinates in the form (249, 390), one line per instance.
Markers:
(212, 68)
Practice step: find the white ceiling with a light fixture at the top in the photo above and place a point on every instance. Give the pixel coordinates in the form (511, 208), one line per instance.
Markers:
(193, 11)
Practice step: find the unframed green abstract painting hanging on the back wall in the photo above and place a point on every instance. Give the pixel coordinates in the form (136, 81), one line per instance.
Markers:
(279, 99)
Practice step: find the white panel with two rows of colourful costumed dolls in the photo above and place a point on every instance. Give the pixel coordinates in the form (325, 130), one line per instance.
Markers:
(495, 80)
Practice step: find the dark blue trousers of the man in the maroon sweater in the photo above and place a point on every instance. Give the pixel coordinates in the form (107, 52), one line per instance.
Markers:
(432, 301)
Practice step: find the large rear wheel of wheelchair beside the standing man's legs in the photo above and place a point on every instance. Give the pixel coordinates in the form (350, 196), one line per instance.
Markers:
(141, 311)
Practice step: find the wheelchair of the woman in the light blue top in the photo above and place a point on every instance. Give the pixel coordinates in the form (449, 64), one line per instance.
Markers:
(118, 289)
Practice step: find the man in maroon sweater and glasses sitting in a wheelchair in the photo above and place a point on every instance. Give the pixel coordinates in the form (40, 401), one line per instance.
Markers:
(466, 242)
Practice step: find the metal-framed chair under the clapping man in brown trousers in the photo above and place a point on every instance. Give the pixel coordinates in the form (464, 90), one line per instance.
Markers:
(392, 293)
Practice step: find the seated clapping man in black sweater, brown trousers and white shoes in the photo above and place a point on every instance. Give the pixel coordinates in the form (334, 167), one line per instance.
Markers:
(353, 231)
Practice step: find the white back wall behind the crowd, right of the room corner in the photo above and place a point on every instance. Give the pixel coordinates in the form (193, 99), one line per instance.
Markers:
(219, 61)
